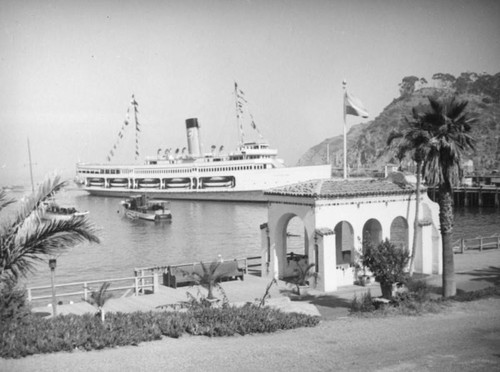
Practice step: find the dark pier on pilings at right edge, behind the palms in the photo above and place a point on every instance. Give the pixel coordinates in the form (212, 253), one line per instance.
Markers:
(472, 196)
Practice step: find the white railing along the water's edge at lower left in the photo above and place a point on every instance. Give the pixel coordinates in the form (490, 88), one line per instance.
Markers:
(136, 285)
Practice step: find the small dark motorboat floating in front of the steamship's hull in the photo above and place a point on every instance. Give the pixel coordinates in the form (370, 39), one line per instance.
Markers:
(147, 209)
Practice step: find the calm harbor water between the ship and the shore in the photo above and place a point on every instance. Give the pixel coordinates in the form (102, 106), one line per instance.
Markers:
(198, 231)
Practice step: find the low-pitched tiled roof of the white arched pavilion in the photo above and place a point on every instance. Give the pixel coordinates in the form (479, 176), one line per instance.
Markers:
(332, 188)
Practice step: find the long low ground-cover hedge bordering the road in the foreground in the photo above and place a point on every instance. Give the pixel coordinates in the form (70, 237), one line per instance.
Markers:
(34, 335)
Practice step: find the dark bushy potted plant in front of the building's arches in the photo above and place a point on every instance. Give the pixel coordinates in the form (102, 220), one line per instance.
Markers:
(387, 263)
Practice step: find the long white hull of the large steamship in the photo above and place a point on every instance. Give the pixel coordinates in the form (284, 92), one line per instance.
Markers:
(225, 181)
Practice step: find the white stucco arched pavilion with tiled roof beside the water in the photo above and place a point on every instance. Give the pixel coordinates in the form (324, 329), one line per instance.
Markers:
(336, 215)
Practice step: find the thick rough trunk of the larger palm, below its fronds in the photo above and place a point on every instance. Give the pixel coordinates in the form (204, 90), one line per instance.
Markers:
(446, 222)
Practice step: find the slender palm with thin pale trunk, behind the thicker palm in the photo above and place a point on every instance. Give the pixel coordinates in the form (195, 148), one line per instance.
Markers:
(413, 141)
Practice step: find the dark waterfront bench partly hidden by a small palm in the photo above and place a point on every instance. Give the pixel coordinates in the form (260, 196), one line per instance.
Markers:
(190, 274)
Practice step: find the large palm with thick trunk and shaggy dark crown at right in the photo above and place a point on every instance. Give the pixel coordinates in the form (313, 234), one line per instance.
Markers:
(449, 125)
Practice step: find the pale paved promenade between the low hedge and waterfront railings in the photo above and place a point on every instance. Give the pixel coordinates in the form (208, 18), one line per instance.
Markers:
(474, 270)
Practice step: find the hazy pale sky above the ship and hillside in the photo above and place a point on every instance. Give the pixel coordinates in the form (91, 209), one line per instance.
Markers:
(68, 70)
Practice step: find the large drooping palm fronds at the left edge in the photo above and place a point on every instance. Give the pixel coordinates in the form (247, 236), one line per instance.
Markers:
(28, 238)
